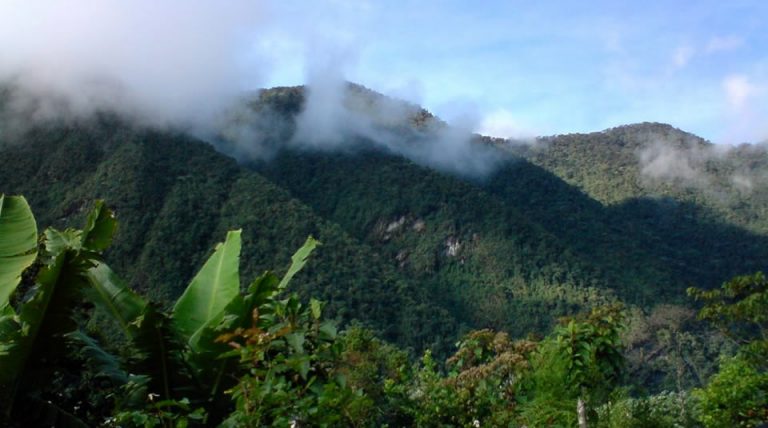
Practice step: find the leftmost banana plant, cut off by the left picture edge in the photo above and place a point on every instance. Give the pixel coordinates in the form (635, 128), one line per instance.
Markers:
(32, 333)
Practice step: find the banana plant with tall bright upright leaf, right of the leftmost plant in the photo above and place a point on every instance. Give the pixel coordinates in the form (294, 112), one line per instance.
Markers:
(178, 355)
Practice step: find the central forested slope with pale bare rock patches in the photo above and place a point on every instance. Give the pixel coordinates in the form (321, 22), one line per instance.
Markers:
(479, 256)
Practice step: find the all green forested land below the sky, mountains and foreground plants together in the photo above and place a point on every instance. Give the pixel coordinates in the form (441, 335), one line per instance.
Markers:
(149, 278)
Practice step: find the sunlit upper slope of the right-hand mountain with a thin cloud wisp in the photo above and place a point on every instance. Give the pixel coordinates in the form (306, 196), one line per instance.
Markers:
(656, 160)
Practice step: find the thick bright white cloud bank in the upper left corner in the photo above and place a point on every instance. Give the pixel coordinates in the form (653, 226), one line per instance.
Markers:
(169, 61)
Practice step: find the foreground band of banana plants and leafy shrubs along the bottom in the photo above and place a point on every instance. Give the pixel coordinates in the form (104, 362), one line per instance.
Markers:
(258, 356)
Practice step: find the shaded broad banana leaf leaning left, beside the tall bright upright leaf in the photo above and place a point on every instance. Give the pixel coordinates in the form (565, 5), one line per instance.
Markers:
(109, 292)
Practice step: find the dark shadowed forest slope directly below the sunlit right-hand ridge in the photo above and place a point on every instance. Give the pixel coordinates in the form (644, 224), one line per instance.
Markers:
(652, 246)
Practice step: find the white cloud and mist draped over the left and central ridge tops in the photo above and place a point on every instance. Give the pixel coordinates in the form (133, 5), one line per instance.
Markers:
(188, 65)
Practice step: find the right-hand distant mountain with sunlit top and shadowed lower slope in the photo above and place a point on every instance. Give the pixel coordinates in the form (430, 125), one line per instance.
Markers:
(696, 208)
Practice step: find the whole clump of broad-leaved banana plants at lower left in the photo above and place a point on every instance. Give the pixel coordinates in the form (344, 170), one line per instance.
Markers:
(174, 356)
